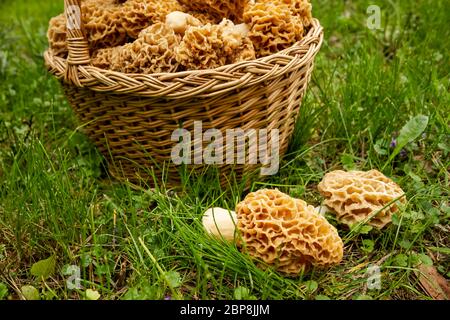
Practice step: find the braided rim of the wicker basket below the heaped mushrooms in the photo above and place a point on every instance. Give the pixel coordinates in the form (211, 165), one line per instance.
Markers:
(194, 83)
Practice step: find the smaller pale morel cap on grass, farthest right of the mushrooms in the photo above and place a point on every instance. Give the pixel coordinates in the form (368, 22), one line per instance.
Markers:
(356, 195)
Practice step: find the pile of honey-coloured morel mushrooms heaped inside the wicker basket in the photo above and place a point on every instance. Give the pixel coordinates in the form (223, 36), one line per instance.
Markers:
(155, 36)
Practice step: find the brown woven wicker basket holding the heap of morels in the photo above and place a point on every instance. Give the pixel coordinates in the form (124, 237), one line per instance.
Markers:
(131, 117)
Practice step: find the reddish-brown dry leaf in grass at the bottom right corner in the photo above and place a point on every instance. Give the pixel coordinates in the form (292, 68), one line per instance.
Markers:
(433, 283)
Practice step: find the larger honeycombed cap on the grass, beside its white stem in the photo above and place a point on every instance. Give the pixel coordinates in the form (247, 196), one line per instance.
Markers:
(286, 232)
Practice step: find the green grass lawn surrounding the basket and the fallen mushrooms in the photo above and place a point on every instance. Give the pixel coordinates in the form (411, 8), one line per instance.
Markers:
(56, 198)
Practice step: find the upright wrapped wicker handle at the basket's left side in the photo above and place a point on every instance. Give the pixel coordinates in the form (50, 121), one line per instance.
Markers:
(77, 43)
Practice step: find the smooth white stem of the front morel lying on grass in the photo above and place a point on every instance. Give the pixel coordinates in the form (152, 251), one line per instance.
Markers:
(219, 222)
